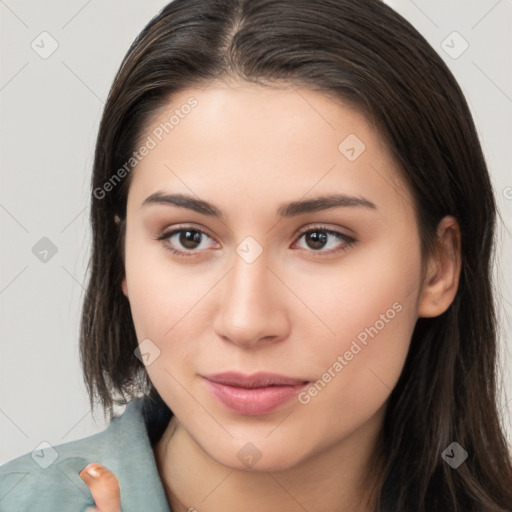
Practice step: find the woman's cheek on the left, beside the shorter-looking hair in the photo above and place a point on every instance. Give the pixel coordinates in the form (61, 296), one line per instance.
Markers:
(167, 303)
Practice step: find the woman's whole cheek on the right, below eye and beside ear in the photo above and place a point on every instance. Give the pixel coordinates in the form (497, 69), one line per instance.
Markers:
(372, 308)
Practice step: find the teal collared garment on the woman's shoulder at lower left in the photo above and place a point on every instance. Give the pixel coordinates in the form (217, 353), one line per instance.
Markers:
(124, 447)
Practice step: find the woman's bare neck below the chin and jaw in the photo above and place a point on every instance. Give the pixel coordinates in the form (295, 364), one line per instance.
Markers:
(340, 478)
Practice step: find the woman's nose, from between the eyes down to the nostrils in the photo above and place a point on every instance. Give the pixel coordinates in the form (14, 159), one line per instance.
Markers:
(252, 308)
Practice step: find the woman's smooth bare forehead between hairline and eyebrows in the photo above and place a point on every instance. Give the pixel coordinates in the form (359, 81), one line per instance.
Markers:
(250, 141)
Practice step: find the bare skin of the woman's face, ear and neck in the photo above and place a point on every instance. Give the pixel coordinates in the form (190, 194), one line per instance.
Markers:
(247, 149)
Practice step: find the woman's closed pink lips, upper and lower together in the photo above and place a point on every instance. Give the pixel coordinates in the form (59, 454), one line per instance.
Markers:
(253, 395)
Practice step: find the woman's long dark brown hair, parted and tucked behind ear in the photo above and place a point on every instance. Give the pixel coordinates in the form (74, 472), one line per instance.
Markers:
(364, 53)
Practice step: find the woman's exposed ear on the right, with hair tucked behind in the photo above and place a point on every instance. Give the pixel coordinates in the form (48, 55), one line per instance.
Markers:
(443, 271)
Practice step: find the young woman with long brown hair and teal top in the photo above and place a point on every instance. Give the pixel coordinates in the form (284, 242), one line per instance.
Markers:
(290, 280)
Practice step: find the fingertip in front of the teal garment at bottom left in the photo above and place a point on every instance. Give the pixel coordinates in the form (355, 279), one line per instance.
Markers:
(104, 487)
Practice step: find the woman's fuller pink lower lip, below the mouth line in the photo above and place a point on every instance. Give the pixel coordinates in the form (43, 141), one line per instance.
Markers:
(256, 401)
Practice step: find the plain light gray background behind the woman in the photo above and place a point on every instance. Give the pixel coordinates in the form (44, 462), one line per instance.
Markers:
(50, 111)
